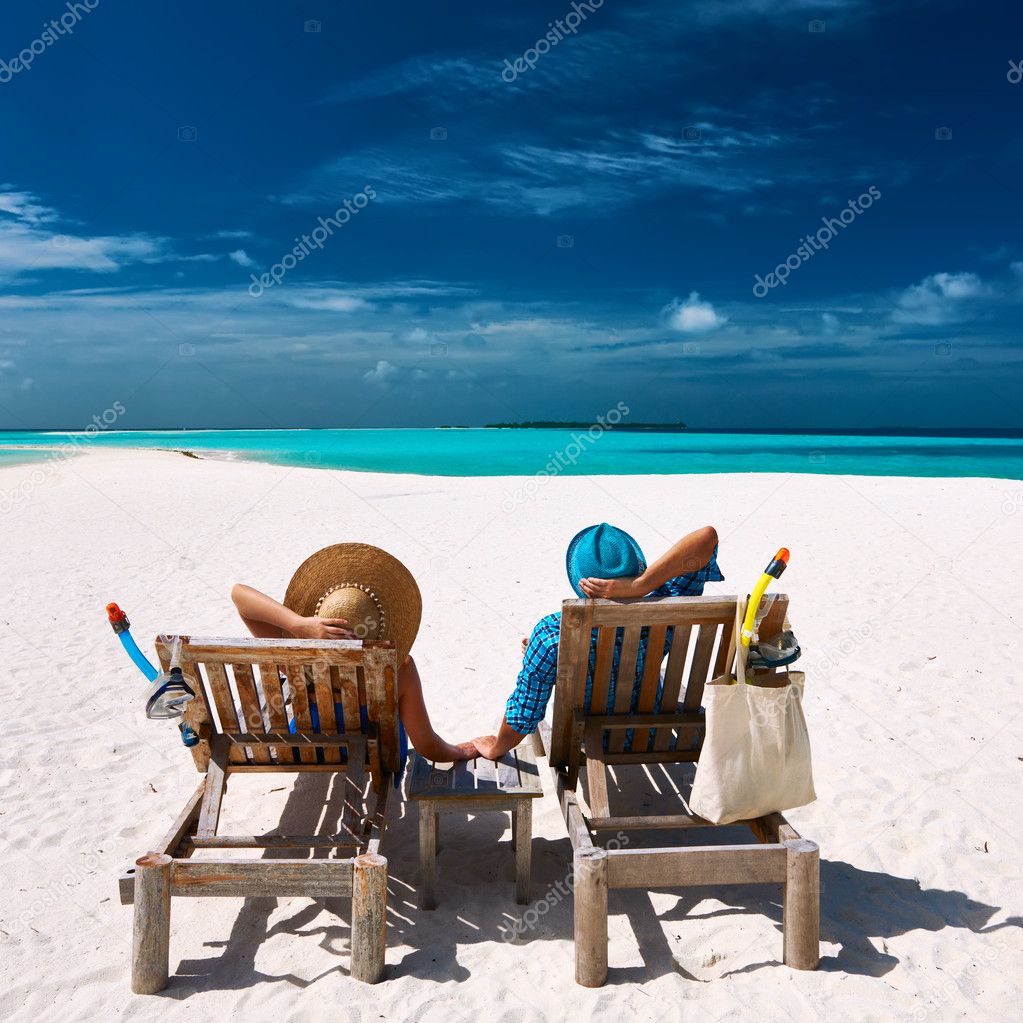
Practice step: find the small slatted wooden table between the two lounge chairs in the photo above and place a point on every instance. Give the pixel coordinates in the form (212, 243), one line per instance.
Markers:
(477, 786)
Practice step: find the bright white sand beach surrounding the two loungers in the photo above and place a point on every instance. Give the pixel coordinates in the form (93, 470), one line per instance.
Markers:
(906, 597)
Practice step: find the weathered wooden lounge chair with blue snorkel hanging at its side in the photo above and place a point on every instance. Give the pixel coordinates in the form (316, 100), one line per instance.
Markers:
(241, 715)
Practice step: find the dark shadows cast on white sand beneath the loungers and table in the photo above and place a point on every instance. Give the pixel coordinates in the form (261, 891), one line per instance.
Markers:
(477, 905)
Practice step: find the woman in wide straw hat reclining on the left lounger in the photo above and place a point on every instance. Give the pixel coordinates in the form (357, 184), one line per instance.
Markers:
(355, 592)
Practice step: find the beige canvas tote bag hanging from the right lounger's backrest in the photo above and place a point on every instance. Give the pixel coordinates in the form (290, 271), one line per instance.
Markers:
(757, 753)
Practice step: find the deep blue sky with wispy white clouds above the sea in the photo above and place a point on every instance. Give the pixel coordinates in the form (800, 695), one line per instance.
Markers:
(531, 232)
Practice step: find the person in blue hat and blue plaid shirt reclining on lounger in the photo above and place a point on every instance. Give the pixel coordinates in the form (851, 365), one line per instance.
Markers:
(603, 562)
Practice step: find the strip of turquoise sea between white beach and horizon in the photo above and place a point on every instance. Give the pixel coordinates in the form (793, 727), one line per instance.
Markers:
(524, 453)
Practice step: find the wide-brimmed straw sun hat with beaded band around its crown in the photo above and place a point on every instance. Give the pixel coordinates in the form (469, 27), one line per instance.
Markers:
(367, 587)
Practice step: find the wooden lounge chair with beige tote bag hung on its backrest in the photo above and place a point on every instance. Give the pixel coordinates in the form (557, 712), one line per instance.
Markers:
(642, 732)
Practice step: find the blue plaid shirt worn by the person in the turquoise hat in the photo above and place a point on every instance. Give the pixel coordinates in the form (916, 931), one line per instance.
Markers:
(528, 703)
